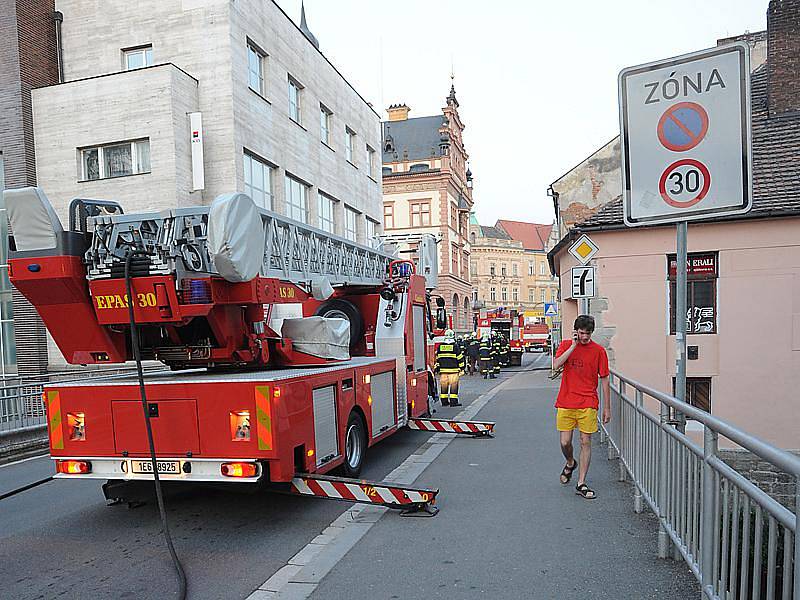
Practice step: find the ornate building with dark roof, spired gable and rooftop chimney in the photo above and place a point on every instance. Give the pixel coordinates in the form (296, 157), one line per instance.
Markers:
(427, 188)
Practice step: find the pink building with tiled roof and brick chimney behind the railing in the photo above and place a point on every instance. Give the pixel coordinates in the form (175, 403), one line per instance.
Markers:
(743, 317)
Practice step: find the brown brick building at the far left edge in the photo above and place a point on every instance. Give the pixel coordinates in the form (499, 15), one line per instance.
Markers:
(28, 59)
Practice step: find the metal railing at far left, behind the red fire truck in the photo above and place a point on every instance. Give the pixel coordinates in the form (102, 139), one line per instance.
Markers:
(21, 403)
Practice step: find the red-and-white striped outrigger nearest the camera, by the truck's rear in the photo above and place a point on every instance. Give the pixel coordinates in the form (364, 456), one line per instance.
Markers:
(410, 501)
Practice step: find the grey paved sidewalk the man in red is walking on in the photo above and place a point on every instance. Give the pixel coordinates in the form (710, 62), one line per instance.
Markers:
(508, 528)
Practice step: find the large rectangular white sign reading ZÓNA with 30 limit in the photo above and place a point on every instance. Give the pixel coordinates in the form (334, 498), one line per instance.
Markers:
(685, 132)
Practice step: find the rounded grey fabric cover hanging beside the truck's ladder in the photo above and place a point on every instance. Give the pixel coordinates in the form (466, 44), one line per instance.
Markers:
(236, 237)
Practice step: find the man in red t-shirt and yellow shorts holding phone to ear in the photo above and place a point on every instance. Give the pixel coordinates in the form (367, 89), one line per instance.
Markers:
(584, 363)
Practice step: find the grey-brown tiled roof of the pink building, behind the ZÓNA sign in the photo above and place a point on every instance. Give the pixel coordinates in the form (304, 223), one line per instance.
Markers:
(776, 165)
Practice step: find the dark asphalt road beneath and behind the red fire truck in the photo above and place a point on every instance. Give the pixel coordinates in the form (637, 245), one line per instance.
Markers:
(60, 540)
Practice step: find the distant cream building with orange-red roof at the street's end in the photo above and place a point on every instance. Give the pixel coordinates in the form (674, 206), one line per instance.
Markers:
(509, 267)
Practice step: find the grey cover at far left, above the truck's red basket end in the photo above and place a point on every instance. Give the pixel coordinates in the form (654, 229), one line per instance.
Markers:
(34, 223)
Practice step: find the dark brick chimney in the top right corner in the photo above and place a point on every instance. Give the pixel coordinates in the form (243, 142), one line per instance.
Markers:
(783, 57)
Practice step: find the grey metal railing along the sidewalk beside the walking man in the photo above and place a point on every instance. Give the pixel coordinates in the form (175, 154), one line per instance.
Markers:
(738, 541)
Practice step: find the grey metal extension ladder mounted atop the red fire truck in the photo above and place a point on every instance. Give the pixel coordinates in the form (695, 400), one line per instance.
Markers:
(177, 242)
